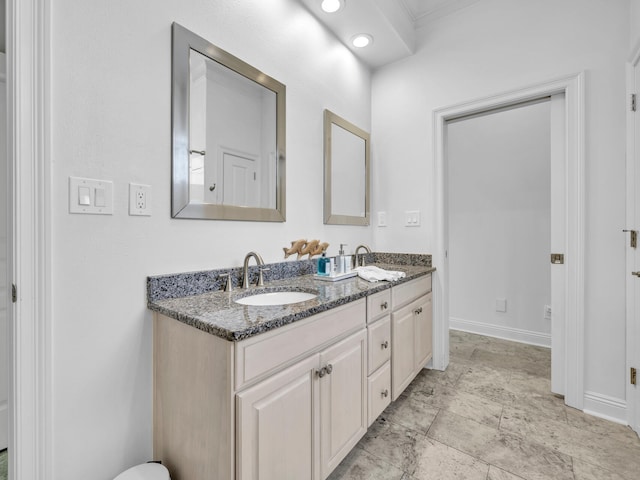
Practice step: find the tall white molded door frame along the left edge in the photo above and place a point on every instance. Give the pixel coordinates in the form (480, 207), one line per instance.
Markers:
(28, 140)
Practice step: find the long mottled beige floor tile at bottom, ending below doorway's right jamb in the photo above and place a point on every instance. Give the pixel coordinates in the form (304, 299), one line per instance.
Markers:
(504, 450)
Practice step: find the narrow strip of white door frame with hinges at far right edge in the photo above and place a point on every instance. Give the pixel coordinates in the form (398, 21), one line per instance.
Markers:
(633, 324)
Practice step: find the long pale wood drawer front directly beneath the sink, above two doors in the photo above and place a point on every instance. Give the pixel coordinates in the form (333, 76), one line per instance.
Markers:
(271, 351)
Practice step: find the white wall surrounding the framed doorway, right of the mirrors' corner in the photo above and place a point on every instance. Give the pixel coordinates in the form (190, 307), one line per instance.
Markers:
(496, 46)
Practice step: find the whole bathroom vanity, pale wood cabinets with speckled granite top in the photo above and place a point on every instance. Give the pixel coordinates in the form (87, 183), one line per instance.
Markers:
(283, 390)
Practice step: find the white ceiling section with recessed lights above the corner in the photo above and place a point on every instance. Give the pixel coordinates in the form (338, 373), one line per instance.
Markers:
(391, 23)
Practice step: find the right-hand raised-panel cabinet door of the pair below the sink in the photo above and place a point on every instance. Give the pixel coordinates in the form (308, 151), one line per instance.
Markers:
(343, 400)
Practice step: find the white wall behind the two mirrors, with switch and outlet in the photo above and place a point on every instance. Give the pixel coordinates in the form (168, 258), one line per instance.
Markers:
(111, 119)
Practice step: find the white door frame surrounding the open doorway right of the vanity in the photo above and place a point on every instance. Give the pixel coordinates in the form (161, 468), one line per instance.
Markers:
(573, 88)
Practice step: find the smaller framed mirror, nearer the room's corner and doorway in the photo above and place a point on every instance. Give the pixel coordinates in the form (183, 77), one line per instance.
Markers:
(346, 172)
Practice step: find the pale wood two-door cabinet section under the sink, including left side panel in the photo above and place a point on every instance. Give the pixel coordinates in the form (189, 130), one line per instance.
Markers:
(288, 403)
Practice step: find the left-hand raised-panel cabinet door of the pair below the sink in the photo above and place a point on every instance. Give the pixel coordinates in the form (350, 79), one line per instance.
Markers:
(277, 426)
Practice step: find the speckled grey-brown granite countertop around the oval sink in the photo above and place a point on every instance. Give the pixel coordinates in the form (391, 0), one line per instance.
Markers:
(216, 312)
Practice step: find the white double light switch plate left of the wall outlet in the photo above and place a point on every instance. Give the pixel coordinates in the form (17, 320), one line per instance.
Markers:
(82, 196)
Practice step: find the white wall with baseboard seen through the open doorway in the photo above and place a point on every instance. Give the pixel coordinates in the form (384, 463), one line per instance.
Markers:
(499, 222)
